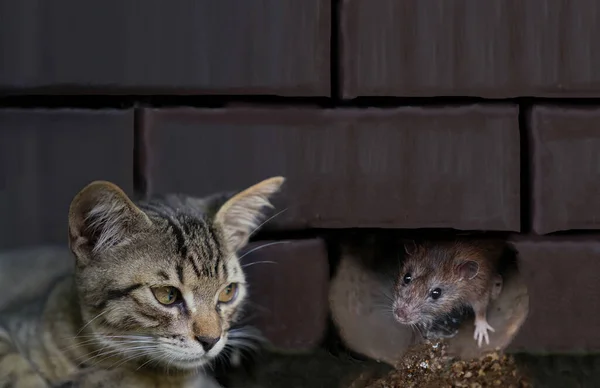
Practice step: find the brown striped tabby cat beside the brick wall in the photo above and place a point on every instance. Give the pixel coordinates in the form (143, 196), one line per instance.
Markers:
(155, 289)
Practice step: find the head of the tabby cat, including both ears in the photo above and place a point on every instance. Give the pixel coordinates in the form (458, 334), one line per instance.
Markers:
(160, 282)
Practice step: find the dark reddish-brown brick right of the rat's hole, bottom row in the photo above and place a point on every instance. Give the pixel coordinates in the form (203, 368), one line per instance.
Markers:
(564, 292)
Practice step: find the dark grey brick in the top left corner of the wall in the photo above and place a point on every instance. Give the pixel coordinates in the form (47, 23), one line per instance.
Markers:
(183, 47)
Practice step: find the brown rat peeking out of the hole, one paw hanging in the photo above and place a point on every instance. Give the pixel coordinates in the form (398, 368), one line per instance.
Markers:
(436, 278)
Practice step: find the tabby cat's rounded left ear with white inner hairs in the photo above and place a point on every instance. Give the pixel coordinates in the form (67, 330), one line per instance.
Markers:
(101, 216)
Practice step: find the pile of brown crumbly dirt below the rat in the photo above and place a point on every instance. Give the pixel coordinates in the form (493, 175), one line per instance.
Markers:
(427, 365)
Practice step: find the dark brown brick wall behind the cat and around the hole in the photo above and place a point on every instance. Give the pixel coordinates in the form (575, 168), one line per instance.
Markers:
(460, 114)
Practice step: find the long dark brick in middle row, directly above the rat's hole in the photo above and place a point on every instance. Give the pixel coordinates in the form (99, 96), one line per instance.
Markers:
(400, 168)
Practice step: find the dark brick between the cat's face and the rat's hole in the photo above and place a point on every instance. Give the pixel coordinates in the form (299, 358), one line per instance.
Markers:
(288, 291)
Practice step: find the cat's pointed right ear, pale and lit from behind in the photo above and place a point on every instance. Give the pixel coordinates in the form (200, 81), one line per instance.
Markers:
(240, 216)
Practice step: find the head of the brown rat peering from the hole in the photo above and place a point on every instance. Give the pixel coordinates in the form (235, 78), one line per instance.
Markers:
(432, 281)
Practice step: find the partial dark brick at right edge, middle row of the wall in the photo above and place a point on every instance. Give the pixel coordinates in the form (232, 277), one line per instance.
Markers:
(565, 159)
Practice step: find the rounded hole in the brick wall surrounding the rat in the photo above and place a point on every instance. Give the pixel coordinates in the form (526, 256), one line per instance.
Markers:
(362, 295)
